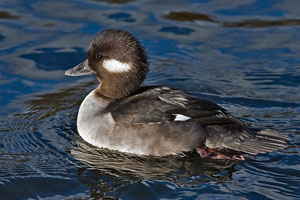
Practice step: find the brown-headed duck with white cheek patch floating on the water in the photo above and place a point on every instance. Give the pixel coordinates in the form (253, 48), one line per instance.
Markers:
(158, 121)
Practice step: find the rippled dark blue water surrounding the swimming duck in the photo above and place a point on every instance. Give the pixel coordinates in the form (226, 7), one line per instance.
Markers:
(244, 55)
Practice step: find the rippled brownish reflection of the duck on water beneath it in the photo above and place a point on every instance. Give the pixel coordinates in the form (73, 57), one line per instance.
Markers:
(134, 168)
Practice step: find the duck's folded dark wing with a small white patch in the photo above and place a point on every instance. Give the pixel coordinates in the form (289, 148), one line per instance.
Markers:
(161, 104)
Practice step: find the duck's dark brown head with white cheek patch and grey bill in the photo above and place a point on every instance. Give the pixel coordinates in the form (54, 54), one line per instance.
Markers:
(119, 62)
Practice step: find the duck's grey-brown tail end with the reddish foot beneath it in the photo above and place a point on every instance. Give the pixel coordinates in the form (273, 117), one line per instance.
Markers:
(232, 142)
